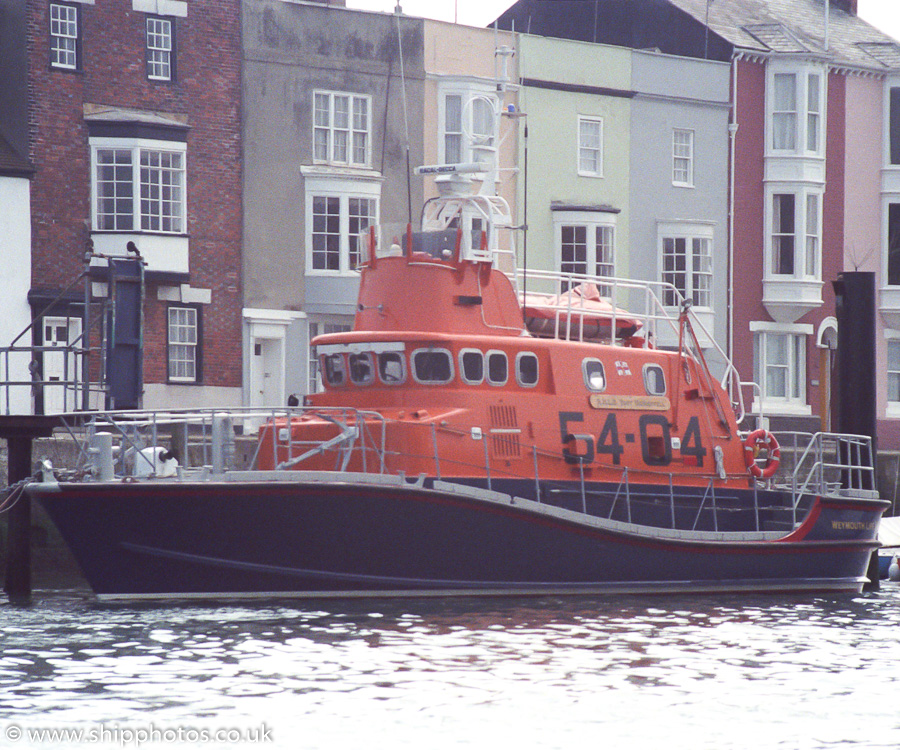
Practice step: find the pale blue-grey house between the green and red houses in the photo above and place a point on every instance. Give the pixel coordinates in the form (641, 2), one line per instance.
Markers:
(679, 181)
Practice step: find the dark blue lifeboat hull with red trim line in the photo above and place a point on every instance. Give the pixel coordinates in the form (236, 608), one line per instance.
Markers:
(348, 539)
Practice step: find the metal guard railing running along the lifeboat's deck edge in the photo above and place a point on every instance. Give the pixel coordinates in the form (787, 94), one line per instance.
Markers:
(211, 443)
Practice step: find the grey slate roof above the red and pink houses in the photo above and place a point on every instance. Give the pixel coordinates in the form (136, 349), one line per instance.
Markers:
(798, 27)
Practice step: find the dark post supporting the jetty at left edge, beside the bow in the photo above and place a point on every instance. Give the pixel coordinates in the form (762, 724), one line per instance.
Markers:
(18, 542)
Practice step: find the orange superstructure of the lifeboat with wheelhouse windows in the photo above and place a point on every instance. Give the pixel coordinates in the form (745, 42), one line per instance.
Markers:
(441, 352)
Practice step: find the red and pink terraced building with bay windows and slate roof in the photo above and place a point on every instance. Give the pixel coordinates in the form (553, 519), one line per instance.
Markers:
(812, 189)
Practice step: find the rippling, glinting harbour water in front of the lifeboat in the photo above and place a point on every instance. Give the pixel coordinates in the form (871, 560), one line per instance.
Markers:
(674, 672)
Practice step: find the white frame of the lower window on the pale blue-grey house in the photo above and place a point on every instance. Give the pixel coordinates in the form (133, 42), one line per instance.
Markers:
(690, 233)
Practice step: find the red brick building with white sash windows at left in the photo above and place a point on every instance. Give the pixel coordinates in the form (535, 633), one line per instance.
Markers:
(135, 137)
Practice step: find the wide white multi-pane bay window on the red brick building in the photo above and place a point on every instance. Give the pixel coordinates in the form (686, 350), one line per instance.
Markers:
(138, 188)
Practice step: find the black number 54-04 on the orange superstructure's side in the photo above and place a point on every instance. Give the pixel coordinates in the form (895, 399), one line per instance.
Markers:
(653, 433)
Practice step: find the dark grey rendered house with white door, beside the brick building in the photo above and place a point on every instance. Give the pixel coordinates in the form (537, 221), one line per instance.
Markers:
(327, 137)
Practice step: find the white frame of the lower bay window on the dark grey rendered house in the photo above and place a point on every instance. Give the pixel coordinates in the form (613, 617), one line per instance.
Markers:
(343, 191)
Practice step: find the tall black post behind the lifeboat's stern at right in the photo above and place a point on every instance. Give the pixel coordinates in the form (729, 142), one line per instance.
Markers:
(857, 412)
